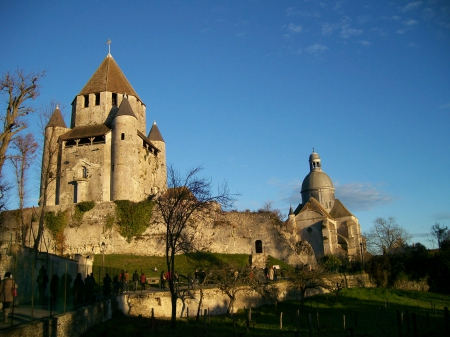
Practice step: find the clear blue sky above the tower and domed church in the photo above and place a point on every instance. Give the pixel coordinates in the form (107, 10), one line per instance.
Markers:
(247, 88)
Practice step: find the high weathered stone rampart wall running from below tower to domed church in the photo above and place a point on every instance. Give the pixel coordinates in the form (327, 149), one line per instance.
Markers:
(216, 232)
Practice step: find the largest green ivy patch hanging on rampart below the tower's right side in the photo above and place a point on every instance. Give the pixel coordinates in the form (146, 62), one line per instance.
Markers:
(133, 218)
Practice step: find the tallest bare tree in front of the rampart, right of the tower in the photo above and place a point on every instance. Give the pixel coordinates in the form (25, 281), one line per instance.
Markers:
(185, 196)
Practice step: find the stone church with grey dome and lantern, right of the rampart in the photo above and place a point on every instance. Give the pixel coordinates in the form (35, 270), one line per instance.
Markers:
(321, 223)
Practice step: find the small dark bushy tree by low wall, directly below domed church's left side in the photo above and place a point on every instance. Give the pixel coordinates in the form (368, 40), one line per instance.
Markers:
(306, 278)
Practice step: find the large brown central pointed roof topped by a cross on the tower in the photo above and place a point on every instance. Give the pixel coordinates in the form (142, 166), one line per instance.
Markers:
(109, 77)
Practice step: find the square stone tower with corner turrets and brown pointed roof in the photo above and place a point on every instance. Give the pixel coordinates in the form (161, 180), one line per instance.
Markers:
(105, 154)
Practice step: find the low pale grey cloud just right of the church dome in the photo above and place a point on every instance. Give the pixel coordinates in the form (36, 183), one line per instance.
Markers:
(361, 196)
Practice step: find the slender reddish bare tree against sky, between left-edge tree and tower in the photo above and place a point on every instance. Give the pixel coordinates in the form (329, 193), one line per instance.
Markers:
(26, 149)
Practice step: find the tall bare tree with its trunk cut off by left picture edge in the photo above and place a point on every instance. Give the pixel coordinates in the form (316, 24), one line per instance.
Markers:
(18, 88)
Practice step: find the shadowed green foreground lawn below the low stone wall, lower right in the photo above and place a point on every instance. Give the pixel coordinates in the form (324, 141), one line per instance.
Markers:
(366, 314)
